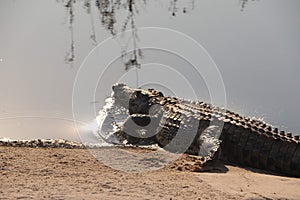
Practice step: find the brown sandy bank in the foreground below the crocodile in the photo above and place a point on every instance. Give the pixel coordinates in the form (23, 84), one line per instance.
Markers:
(54, 173)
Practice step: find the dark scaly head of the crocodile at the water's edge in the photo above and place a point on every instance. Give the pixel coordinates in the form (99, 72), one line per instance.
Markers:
(144, 114)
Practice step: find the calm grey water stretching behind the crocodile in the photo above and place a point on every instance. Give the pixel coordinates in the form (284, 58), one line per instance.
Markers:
(44, 43)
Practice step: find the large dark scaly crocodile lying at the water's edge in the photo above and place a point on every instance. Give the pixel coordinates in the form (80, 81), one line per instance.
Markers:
(202, 129)
